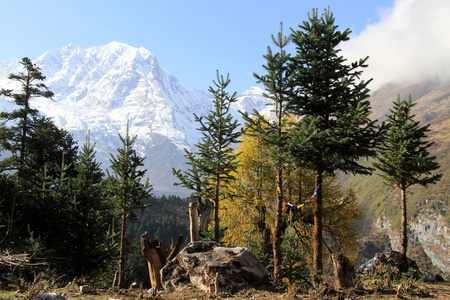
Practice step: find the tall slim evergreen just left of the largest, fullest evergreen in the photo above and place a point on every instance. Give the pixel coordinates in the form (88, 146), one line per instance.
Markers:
(278, 85)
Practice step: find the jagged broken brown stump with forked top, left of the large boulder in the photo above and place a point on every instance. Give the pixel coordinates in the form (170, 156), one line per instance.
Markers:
(153, 252)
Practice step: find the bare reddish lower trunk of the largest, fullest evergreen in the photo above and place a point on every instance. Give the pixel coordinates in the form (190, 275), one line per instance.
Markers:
(318, 229)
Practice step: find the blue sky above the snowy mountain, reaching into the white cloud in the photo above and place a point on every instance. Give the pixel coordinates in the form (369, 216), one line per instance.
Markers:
(192, 39)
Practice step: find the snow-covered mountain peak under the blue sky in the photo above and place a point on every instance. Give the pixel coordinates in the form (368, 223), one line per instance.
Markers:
(98, 89)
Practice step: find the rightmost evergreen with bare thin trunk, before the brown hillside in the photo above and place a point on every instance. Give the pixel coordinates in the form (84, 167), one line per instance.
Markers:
(404, 156)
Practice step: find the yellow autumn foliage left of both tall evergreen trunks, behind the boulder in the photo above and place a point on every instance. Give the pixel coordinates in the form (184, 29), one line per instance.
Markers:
(247, 214)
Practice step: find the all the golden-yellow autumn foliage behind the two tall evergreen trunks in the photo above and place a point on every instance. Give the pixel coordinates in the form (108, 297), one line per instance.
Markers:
(250, 216)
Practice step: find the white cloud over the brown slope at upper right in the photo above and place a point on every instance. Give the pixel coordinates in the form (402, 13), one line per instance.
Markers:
(410, 42)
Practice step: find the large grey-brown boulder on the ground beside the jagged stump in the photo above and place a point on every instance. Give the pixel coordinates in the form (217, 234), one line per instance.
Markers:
(206, 265)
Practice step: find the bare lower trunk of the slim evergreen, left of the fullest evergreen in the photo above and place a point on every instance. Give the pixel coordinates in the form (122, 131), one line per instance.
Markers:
(277, 257)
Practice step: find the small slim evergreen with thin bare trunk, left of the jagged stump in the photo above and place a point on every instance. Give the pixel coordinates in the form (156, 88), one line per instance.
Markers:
(129, 189)
